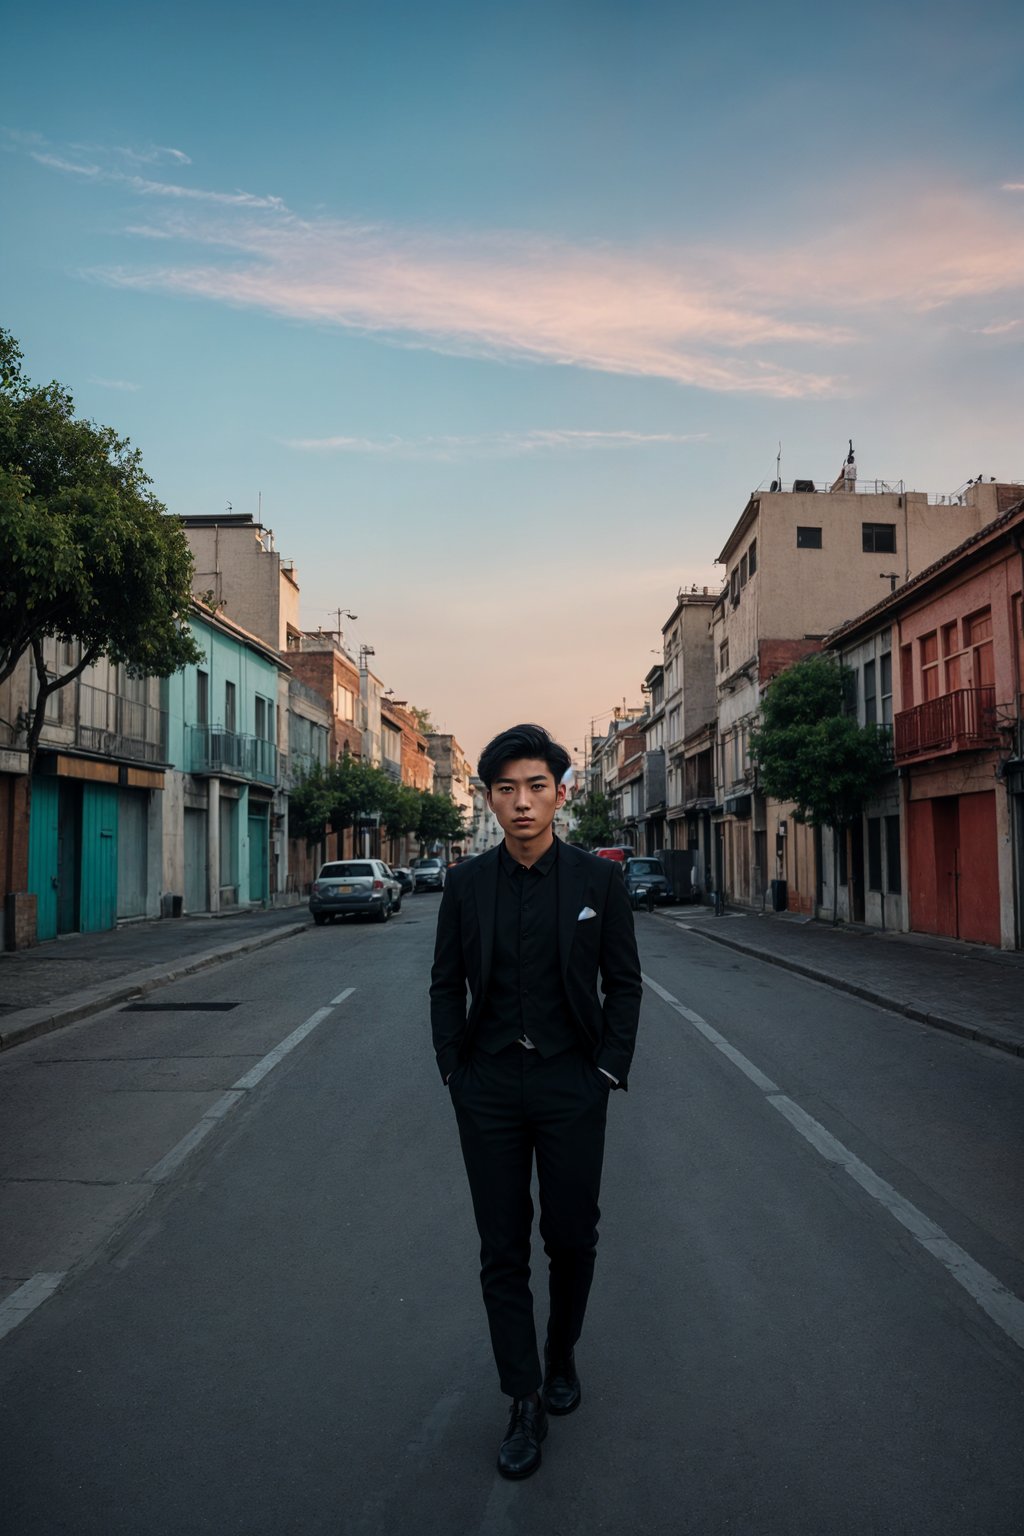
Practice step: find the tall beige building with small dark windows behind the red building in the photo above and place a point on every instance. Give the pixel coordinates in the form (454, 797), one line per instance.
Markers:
(799, 563)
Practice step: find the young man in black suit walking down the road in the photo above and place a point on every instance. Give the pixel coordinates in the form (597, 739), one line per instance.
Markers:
(530, 925)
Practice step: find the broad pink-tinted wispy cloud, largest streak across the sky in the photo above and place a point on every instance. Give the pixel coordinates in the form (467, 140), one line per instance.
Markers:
(768, 317)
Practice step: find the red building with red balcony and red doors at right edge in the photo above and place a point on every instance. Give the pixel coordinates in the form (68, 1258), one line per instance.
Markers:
(943, 660)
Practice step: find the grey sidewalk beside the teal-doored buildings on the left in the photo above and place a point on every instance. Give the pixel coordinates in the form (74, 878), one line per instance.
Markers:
(79, 975)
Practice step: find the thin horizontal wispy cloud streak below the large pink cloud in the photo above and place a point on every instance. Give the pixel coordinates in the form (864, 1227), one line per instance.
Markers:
(498, 445)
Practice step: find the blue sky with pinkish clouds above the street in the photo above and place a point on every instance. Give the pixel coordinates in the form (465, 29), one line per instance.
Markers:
(504, 311)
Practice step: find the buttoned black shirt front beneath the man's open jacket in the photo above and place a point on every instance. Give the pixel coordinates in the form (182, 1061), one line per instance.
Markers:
(526, 998)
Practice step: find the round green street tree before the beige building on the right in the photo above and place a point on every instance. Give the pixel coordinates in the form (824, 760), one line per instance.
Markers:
(811, 752)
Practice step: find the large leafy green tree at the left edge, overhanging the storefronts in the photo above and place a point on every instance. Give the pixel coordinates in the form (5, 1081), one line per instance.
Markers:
(88, 552)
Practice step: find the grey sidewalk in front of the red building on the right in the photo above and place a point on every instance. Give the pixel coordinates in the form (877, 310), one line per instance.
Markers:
(966, 990)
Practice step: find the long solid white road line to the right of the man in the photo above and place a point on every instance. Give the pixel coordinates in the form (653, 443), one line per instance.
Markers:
(1005, 1309)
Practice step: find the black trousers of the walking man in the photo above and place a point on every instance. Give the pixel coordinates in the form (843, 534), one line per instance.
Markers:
(514, 1108)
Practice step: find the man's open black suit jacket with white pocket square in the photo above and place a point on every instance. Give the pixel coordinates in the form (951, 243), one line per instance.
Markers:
(601, 945)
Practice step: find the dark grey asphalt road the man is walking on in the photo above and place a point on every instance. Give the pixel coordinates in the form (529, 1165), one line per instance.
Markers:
(282, 1331)
